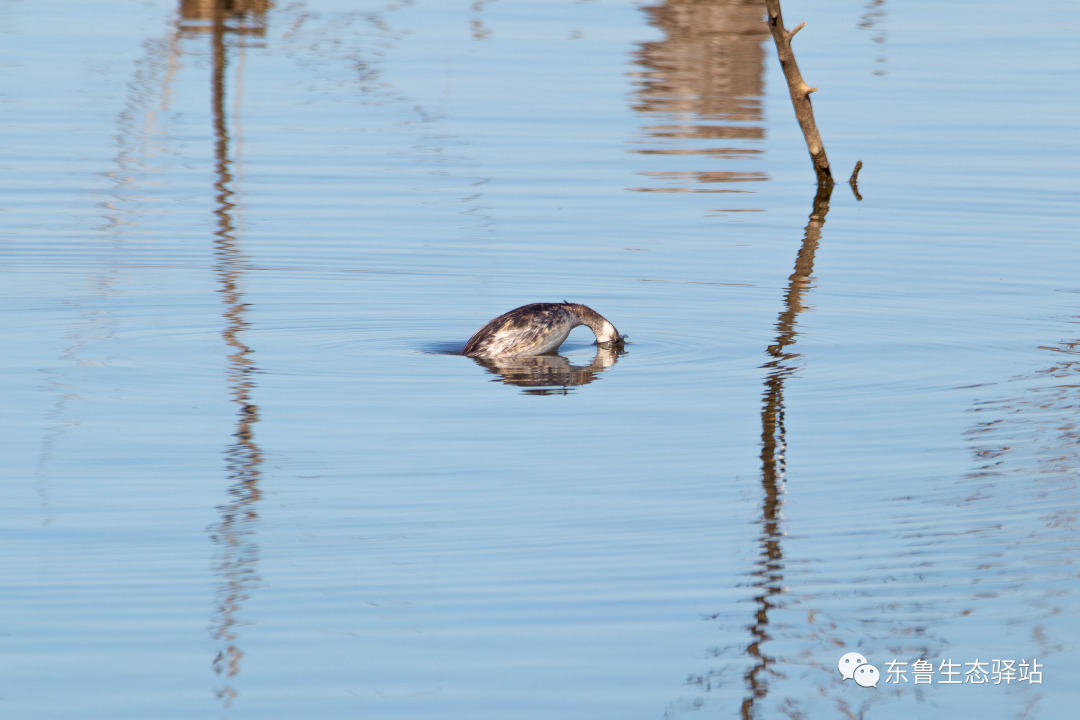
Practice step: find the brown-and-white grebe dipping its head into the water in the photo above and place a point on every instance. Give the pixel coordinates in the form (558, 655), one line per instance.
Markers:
(538, 329)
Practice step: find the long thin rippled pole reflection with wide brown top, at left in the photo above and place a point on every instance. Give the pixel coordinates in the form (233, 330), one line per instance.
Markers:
(235, 533)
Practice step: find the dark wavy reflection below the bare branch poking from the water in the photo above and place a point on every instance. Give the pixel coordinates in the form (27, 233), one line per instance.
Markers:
(769, 569)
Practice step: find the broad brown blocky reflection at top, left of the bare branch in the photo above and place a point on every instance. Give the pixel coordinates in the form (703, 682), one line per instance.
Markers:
(707, 77)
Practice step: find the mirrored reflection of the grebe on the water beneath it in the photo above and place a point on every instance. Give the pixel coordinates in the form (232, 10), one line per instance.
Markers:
(549, 375)
